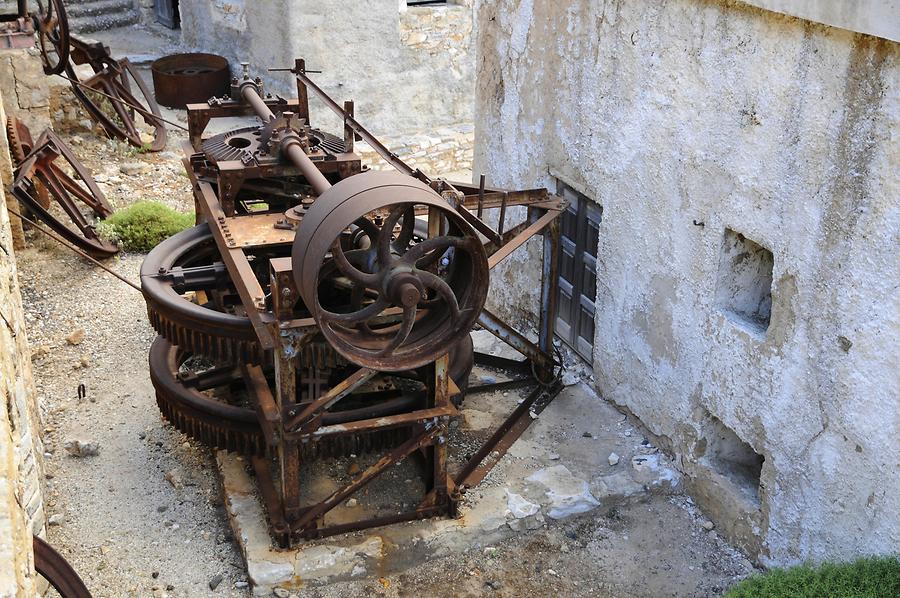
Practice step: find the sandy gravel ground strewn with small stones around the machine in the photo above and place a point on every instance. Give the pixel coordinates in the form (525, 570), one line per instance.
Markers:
(144, 516)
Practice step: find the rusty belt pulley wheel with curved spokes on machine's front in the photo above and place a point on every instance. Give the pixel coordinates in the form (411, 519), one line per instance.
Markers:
(380, 300)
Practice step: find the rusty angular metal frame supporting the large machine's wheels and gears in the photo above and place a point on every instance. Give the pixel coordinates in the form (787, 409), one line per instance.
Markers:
(288, 422)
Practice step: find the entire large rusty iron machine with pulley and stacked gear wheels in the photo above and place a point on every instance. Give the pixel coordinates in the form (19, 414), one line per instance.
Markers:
(320, 309)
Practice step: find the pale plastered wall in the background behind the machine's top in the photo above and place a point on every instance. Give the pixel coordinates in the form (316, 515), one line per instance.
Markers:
(410, 71)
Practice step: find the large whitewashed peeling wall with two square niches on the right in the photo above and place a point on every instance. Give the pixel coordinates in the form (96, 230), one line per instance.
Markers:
(780, 130)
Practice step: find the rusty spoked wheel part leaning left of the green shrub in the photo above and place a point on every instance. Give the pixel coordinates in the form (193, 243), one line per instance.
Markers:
(52, 167)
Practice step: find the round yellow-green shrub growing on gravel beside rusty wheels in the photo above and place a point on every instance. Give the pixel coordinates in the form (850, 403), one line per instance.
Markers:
(144, 225)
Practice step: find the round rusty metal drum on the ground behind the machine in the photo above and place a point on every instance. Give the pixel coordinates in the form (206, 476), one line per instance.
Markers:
(181, 79)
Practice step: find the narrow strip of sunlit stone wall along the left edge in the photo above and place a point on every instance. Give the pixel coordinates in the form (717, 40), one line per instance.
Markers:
(21, 453)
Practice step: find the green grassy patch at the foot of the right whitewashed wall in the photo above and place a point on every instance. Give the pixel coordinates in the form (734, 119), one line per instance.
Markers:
(871, 577)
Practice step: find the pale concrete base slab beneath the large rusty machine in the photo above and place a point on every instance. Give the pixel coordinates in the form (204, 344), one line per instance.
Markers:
(559, 468)
